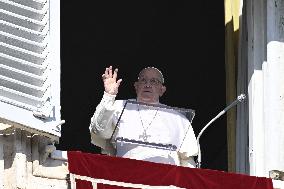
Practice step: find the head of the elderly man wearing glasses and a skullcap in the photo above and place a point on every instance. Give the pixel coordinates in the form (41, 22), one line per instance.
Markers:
(149, 87)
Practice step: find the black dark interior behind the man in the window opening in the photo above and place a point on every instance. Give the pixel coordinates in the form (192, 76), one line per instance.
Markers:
(184, 39)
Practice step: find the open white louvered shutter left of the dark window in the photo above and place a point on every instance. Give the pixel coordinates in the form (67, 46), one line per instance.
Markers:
(30, 64)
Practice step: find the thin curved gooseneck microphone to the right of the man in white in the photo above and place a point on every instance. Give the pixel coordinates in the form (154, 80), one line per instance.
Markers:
(239, 99)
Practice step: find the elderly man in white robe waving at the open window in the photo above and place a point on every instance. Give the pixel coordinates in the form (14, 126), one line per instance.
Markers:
(142, 124)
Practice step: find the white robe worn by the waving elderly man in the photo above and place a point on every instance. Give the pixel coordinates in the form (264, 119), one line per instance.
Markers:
(143, 124)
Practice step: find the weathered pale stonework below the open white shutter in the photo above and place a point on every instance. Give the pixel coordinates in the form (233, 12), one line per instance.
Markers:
(26, 161)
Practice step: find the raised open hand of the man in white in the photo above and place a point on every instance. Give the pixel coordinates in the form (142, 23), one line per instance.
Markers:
(111, 83)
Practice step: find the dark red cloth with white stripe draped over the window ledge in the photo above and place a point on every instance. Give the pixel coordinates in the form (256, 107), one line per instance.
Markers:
(154, 174)
